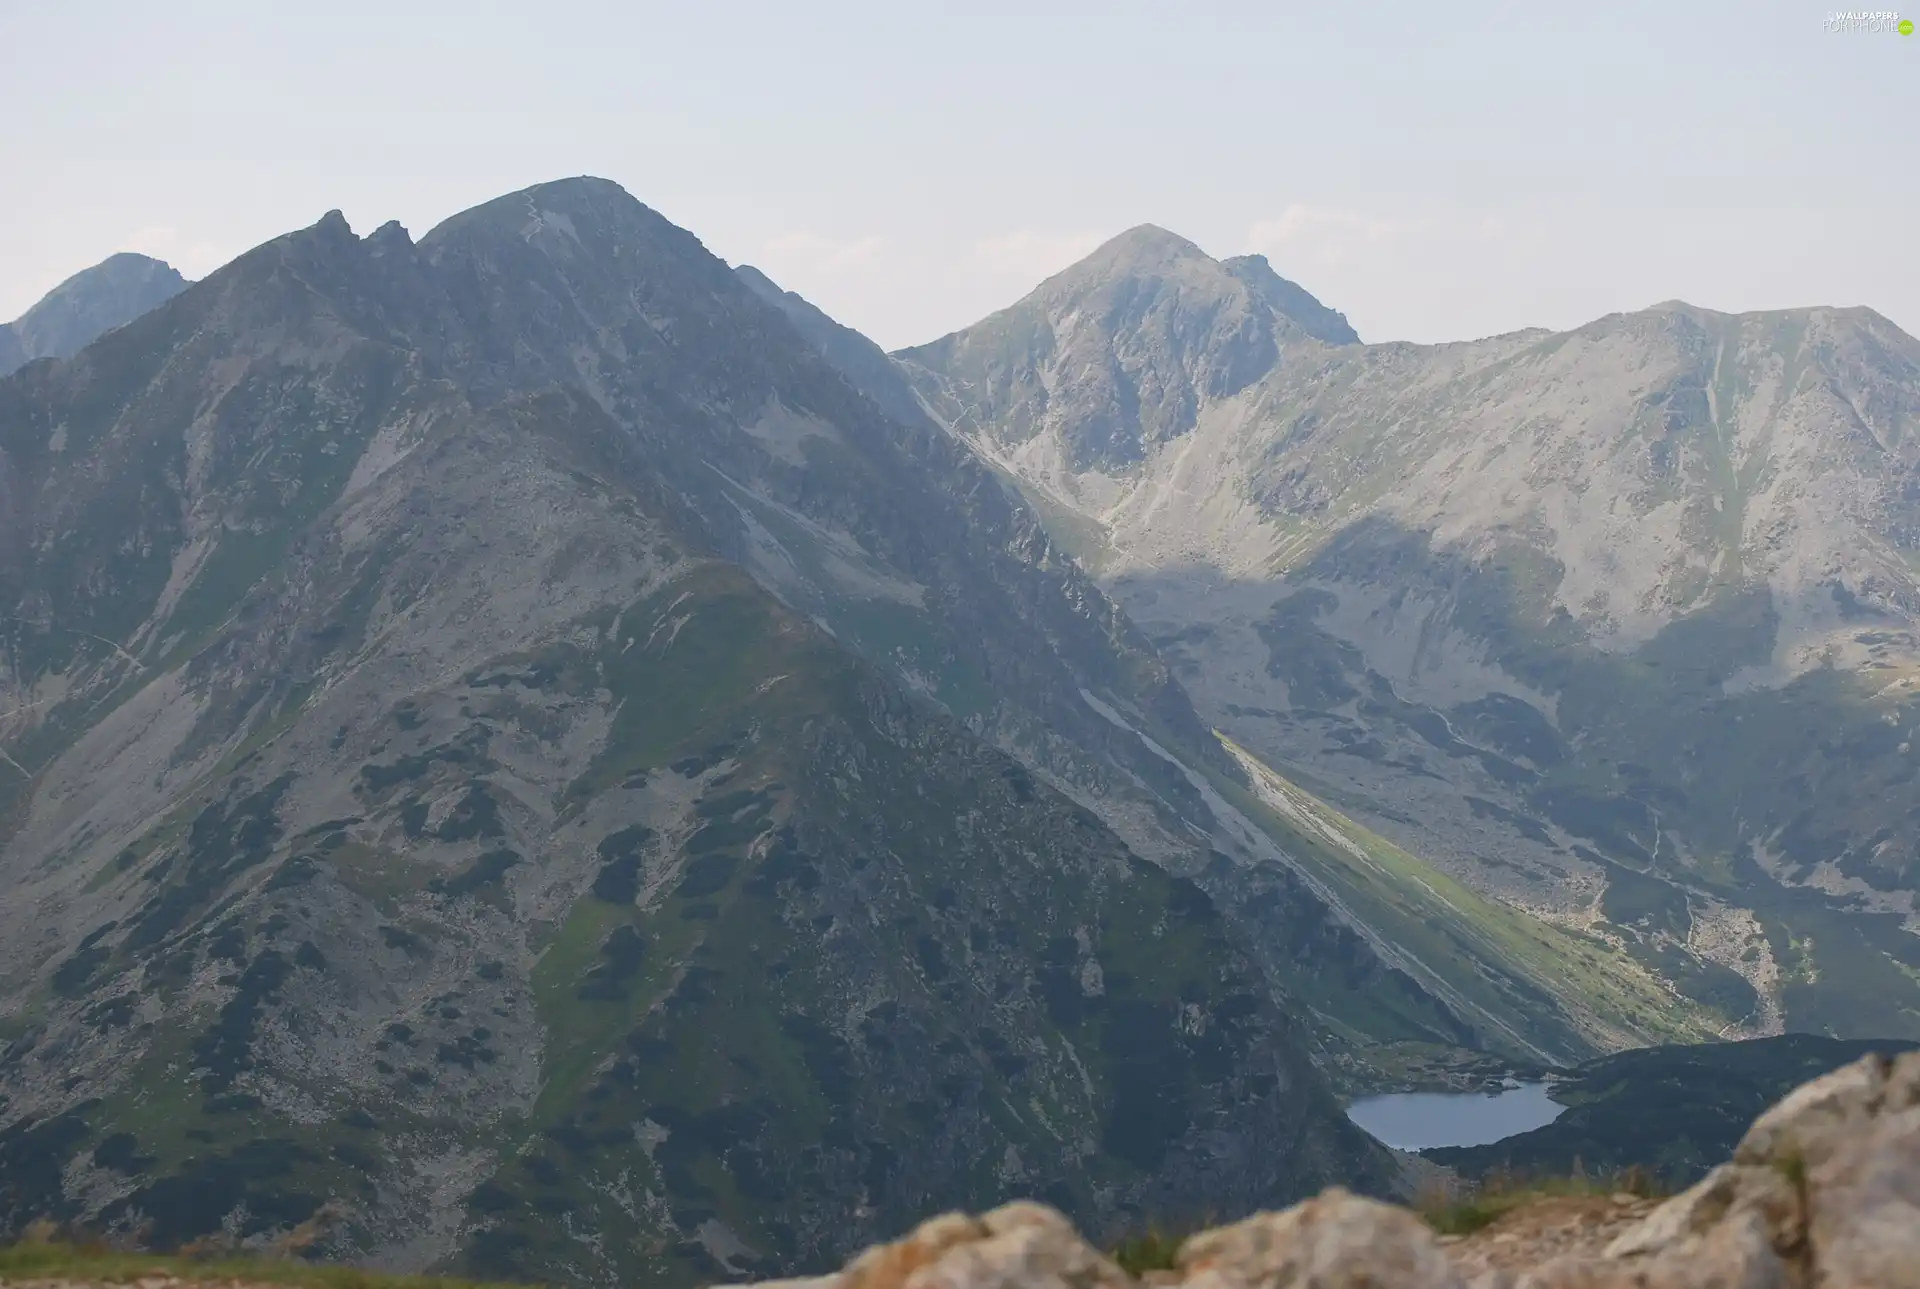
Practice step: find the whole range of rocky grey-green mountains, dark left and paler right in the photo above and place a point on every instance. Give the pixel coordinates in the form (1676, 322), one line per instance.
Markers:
(548, 756)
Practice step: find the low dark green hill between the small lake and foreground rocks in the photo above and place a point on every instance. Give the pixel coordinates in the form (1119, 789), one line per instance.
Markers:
(1668, 1111)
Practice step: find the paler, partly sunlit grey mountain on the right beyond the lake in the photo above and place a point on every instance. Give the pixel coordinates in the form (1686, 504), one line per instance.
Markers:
(1612, 629)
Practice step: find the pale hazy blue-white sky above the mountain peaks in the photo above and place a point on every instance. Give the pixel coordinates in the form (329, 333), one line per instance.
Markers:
(1435, 170)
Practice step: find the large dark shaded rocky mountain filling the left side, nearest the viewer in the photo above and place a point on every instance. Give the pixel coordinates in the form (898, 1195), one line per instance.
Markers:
(504, 739)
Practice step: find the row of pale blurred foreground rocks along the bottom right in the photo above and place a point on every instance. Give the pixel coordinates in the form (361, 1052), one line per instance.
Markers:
(1823, 1194)
